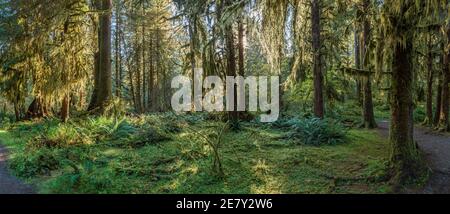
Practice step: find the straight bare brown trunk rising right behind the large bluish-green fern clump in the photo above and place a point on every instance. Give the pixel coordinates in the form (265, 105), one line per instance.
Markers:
(317, 59)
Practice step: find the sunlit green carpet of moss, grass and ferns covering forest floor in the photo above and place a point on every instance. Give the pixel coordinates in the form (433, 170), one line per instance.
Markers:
(165, 153)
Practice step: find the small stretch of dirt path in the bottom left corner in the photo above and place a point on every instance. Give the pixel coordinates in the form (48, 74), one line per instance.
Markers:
(8, 183)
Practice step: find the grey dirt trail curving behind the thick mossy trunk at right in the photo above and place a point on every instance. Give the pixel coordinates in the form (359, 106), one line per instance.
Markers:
(437, 149)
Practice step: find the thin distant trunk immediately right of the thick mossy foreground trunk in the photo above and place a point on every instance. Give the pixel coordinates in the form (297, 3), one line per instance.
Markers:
(430, 75)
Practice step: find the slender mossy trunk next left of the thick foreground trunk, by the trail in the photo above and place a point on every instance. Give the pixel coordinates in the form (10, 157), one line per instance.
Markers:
(368, 115)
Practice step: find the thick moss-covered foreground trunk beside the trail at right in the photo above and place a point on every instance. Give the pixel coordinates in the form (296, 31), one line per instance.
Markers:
(404, 152)
